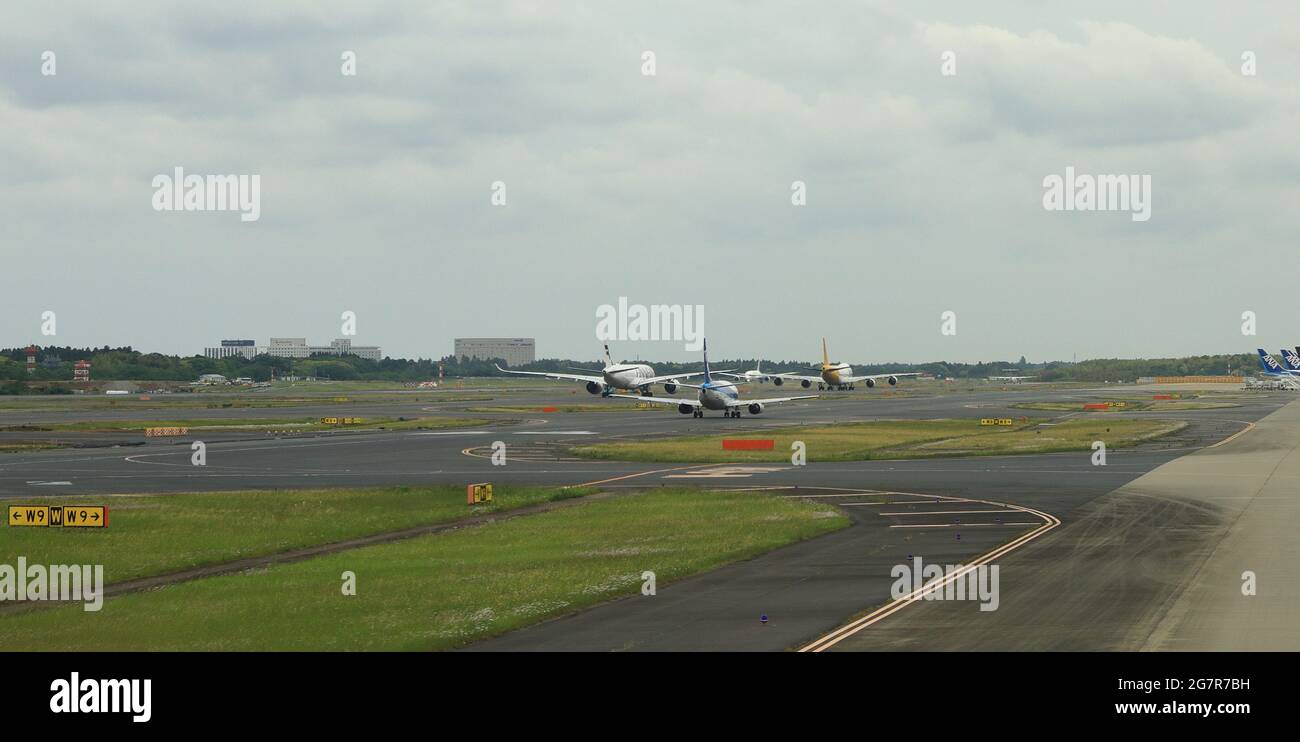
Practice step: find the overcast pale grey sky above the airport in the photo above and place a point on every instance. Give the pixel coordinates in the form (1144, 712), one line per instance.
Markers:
(925, 192)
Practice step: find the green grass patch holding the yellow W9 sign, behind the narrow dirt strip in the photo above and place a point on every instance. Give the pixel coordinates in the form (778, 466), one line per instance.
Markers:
(155, 535)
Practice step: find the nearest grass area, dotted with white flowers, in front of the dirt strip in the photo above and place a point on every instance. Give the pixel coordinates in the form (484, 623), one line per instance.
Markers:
(444, 591)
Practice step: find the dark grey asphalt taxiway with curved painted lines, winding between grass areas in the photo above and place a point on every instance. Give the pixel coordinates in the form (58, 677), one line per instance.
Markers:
(807, 591)
